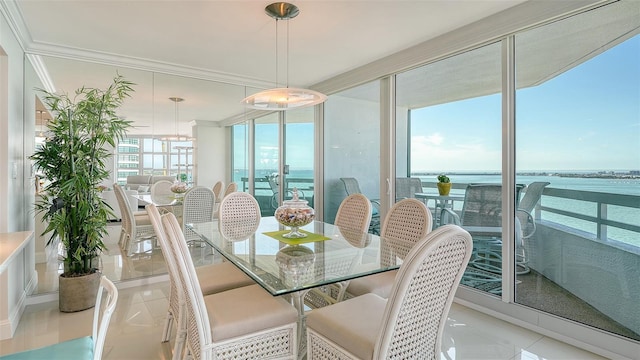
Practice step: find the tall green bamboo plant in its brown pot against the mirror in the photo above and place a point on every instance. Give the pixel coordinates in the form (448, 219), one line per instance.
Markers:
(72, 159)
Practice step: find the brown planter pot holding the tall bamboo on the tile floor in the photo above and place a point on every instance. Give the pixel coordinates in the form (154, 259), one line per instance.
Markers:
(78, 293)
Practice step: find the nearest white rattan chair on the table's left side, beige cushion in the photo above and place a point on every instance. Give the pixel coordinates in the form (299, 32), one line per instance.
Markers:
(242, 323)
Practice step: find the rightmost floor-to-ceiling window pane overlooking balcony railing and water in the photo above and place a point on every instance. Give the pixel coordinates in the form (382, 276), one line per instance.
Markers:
(578, 136)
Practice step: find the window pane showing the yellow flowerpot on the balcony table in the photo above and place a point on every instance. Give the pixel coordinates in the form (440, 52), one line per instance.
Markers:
(449, 121)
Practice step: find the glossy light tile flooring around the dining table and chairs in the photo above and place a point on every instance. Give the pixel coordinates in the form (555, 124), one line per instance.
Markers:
(136, 326)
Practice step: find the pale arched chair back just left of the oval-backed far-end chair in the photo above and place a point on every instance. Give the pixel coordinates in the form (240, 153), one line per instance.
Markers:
(197, 207)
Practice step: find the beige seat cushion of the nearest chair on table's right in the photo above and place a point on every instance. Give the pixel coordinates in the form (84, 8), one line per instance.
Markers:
(352, 324)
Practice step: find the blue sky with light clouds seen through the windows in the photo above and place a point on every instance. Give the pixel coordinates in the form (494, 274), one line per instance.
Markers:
(585, 119)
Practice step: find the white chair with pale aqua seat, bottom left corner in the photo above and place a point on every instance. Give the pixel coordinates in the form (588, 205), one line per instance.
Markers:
(88, 347)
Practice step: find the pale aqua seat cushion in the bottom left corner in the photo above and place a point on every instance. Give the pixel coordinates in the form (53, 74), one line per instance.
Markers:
(81, 348)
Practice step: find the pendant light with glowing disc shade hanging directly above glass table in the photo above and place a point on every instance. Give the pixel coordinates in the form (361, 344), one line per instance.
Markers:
(283, 98)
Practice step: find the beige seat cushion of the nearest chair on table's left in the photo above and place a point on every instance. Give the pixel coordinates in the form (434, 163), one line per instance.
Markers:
(246, 310)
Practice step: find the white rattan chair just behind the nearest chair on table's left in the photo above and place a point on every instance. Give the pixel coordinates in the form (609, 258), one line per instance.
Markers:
(213, 278)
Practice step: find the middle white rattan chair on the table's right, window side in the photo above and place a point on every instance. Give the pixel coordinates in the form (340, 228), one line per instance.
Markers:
(408, 221)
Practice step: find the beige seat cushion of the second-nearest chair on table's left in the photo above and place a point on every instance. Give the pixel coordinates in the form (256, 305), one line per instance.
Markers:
(220, 277)
